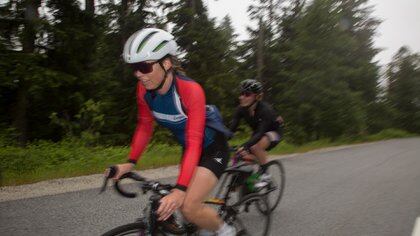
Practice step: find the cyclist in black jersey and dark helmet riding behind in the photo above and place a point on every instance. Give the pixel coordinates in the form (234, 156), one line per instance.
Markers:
(266, 125)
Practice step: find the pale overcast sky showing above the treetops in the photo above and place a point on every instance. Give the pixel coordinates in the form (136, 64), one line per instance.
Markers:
(400, 26)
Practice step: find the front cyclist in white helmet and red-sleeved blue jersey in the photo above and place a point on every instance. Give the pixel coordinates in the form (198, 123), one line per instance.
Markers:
(177, 103)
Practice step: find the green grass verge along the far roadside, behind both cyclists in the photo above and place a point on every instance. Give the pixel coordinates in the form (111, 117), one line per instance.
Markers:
(45, 160)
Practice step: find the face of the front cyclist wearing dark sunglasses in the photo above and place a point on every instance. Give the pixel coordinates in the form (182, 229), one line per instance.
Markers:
(150, 73)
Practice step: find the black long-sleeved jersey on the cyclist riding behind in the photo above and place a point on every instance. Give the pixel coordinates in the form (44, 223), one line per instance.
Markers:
(263, 121)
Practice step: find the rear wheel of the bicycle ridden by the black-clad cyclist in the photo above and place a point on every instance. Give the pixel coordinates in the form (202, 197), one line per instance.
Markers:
(278, 180)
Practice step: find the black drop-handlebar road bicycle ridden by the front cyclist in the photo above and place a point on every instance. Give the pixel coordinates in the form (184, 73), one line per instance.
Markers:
(234, 214)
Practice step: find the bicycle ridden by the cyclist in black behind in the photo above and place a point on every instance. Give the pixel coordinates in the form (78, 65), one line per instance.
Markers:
(274, 188)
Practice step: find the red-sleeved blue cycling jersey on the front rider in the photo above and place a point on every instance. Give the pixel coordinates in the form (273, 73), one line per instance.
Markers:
(183, 111)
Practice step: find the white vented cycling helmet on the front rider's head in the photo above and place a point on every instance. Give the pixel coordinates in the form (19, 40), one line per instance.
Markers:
(149, 44)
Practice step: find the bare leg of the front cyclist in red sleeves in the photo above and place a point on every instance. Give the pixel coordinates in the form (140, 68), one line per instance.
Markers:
(193, 209)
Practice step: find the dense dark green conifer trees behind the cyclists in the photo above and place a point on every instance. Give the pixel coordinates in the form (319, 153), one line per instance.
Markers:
(62, 77)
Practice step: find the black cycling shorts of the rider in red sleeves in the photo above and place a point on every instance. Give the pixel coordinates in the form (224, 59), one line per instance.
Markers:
(215, 157)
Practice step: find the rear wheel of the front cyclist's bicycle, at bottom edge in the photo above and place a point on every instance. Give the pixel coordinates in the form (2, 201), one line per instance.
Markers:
(248, 219)
